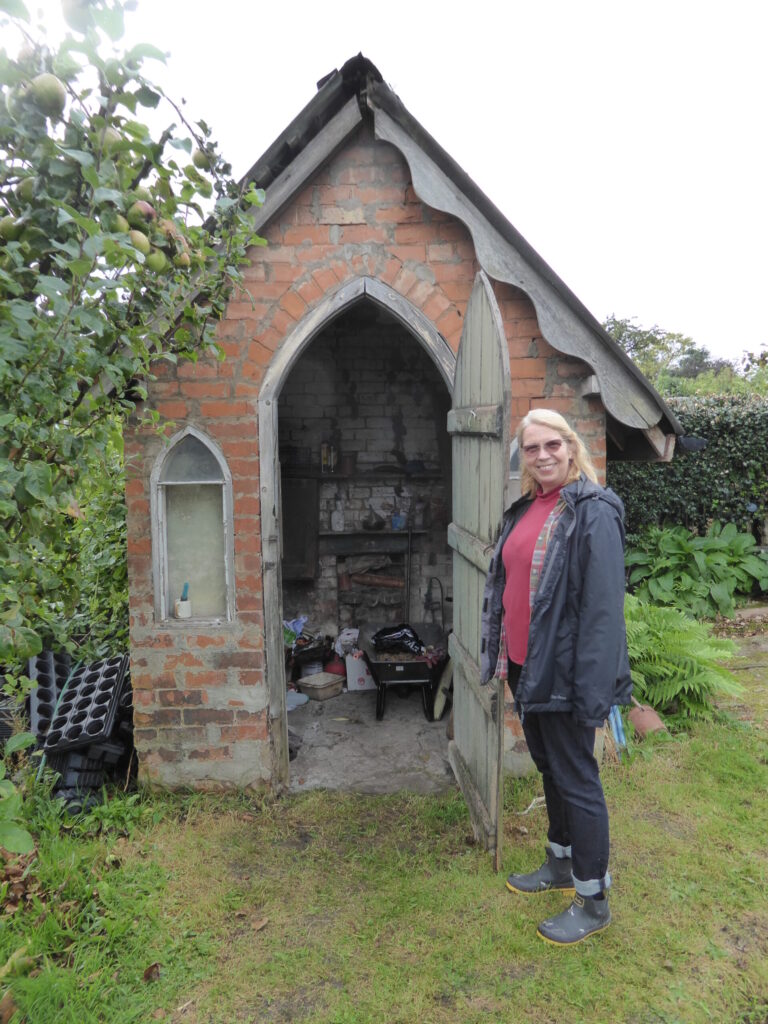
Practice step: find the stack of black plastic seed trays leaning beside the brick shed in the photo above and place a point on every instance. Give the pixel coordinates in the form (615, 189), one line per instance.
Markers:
(83, 720)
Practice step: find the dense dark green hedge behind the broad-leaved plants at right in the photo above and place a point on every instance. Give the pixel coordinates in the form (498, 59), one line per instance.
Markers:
(729, 481)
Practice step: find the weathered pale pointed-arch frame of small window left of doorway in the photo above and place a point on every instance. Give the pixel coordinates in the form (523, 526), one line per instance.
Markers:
(158, 492)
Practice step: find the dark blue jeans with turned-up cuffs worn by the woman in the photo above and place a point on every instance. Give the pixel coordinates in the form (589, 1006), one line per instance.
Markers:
(564, 753)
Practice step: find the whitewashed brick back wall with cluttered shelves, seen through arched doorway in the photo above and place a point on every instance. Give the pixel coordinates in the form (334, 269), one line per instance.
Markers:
(366, 479)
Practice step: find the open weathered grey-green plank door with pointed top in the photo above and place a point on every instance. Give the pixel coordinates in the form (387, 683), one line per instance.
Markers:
(479, 423)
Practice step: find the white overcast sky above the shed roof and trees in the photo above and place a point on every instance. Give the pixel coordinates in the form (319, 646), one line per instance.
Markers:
(626, 140)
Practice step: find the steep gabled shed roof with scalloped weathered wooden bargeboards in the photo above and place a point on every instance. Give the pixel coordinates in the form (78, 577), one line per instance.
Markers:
(641, 424)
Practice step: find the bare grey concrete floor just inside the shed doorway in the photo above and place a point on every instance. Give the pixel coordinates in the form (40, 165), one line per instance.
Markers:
(345, 748)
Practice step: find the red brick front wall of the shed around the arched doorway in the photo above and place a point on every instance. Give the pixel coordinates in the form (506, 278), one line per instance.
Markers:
(201, 697)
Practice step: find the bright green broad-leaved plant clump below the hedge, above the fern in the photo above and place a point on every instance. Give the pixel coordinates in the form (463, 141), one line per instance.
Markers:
(703, 576)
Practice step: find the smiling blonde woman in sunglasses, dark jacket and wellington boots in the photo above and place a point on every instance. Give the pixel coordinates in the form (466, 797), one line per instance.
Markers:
(553, 623)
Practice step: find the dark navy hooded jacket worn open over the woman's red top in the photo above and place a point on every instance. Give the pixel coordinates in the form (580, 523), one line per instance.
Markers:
(577, 659)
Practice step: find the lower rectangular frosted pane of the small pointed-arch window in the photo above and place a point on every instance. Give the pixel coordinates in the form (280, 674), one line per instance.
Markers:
(196, 548)
